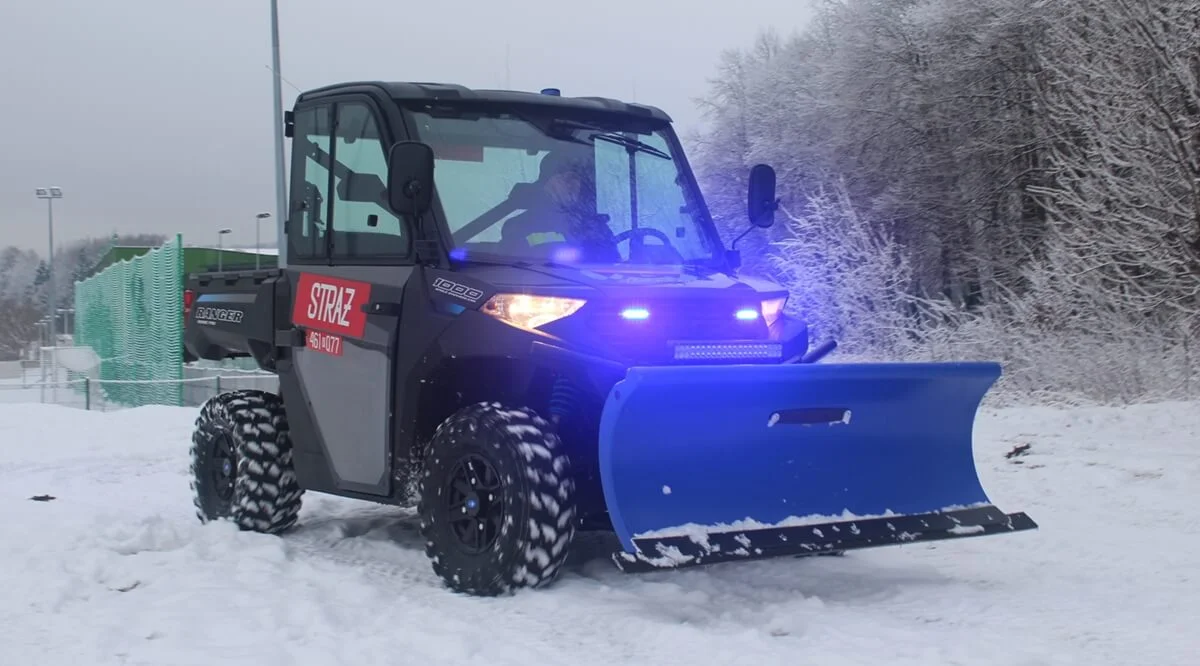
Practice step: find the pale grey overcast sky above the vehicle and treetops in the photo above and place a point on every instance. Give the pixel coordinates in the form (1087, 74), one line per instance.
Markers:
(154, 116)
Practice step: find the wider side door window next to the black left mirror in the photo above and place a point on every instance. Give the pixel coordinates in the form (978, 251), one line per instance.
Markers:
(363, 225)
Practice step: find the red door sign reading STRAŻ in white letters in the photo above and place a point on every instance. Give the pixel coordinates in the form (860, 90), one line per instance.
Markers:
(332, 304)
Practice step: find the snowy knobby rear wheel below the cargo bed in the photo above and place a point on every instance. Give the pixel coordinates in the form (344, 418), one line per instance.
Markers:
(242, 463)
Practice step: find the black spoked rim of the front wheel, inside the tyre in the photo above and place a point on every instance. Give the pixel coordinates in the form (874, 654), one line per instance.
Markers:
(476, 505)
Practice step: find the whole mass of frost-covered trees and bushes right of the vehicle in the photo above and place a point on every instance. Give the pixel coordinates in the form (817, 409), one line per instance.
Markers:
(1010, 179)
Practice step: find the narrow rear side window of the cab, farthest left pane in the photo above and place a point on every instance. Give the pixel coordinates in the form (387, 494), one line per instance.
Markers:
(309, 215)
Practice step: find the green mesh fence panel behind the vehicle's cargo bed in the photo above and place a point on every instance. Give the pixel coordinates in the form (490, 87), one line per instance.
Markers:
(131, 316)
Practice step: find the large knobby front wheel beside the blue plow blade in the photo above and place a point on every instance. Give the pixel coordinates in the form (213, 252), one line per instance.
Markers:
(497, 501)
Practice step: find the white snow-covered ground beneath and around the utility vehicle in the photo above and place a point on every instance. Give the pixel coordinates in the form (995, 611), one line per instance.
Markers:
(117, 569)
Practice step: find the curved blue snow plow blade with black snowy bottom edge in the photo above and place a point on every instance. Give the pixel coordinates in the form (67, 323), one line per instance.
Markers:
(711, 464)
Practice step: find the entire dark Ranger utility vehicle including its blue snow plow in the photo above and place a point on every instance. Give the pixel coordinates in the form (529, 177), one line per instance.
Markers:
(514, 313)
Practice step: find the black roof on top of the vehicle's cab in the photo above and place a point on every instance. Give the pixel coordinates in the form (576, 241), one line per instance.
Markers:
(407, 92)
